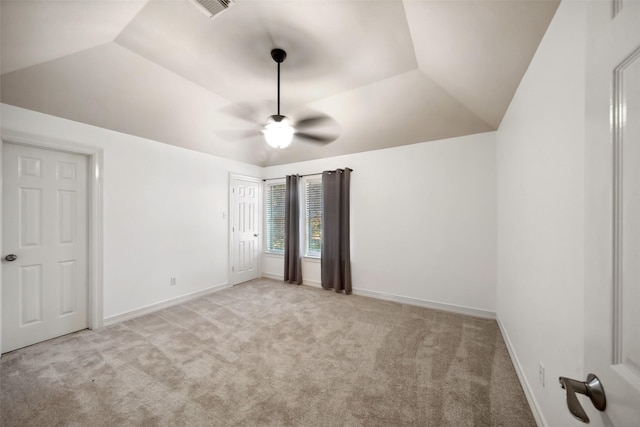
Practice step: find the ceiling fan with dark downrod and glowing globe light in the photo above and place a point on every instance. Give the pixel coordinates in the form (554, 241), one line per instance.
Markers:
(279, 130)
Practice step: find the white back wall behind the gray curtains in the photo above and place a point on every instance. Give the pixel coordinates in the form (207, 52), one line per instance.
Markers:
(423, 221)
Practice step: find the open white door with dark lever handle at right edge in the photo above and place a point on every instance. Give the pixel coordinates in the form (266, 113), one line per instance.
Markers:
(612, 239)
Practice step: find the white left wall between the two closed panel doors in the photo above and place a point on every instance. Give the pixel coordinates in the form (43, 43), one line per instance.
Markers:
(163, 211)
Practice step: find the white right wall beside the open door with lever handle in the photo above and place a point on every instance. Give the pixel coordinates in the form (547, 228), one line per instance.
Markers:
(541, 217)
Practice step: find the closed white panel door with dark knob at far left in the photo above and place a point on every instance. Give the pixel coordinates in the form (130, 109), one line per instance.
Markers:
(44, 290)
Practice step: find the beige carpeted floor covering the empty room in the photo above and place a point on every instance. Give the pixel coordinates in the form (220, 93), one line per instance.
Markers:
(269, 354)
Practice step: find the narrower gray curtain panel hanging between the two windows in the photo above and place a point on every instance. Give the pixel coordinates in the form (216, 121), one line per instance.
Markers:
(292, 258)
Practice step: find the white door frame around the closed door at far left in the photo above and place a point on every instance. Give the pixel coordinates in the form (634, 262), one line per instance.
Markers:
(95, 211)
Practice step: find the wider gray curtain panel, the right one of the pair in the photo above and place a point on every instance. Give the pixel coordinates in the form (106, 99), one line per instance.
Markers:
(336, 246)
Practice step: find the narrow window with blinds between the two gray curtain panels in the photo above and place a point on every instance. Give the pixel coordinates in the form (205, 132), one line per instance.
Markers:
(313, 216)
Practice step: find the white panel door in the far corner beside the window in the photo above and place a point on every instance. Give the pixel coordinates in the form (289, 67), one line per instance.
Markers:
(245, 229)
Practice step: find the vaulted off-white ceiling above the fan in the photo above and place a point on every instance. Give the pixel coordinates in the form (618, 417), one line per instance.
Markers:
(388, 73)
